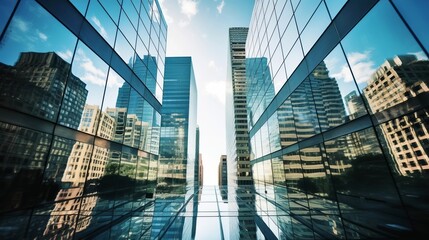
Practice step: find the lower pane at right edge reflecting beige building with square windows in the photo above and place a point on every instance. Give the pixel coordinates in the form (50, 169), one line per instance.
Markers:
(406, 139)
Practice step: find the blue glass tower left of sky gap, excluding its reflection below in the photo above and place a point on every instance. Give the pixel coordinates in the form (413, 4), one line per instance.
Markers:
(178, 124)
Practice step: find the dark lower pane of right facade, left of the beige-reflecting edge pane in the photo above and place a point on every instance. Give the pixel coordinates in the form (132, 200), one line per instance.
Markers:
(356, 155)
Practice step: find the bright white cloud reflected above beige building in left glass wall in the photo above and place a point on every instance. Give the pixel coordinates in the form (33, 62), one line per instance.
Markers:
(91, 73)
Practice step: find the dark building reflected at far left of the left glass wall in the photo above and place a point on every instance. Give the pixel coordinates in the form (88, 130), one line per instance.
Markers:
(37, 84)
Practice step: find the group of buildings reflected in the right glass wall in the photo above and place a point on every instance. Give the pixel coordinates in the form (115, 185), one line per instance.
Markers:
(317, 176)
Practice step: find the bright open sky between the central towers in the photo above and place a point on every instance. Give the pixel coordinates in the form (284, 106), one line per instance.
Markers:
(200, 29)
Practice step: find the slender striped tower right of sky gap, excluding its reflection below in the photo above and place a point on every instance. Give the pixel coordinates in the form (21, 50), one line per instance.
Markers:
(236, 120)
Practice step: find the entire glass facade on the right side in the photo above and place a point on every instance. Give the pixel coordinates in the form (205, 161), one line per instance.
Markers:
(338, 120)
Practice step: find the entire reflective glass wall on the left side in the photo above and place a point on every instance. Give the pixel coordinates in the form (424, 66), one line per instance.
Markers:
(80, 92)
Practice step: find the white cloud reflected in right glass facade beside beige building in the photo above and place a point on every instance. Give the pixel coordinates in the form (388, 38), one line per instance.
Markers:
(362, 66)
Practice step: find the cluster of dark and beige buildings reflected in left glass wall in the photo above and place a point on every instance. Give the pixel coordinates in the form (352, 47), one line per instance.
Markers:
(76, 167)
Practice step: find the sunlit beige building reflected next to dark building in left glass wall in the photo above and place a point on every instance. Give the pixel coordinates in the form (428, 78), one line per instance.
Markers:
(85, 163)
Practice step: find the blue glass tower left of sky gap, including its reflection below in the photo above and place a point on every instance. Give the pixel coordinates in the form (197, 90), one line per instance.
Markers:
(177, 180)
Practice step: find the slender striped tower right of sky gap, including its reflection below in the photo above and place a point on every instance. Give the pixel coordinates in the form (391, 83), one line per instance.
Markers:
(237, 138)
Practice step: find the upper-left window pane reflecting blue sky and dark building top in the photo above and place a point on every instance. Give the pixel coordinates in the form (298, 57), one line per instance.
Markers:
(35, 56)
